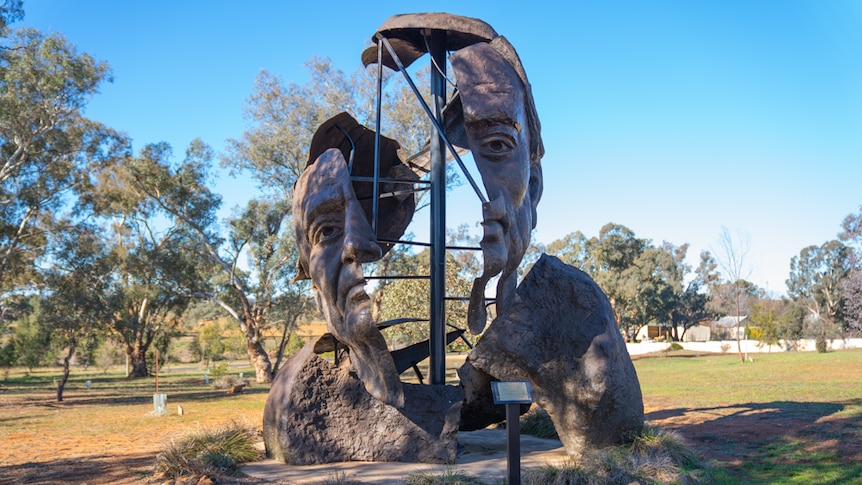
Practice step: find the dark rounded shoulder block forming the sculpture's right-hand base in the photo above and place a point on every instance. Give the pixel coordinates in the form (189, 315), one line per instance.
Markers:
(560, 334)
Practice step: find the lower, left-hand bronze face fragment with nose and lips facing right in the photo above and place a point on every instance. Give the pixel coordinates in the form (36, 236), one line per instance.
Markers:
(334, 238)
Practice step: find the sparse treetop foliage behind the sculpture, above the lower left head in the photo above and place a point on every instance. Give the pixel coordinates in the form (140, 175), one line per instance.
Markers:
(283, 118)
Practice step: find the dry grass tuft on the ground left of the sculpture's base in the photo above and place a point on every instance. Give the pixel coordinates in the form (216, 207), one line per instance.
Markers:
(208, 451)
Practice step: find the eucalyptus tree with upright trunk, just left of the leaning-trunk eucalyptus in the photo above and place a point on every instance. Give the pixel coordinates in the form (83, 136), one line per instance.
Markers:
(154, 266)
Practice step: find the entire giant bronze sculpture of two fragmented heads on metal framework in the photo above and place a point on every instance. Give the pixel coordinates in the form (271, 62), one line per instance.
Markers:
(341, 222)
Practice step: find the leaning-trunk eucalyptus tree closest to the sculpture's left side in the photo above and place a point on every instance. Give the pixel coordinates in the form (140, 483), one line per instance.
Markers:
(256, 295)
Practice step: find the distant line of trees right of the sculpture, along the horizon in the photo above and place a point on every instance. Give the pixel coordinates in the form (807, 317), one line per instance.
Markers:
(648, 283)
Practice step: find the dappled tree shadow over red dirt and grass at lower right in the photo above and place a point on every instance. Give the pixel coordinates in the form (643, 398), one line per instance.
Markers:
(809, 442)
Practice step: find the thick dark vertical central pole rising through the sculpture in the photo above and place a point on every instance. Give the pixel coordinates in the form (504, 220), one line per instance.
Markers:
(437, 43)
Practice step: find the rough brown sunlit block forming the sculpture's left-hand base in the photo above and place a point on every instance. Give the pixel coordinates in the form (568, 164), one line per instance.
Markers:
(318, 413)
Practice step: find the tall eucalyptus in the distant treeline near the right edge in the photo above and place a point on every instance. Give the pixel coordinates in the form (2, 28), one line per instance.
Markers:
(816, 278)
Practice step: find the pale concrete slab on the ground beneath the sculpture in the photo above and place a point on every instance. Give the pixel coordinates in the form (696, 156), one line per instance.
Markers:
(481, 454)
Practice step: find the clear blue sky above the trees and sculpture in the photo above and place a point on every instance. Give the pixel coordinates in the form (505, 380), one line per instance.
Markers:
(673, 118)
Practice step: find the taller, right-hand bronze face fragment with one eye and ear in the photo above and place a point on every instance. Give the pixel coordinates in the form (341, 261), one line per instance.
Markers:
(501, 131)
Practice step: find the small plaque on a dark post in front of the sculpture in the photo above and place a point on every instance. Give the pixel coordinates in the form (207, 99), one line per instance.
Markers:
(513, 394)
